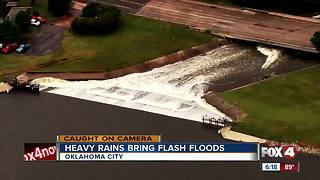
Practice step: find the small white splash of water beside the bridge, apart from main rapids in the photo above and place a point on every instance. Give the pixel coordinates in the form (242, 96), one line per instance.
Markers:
(272, 55)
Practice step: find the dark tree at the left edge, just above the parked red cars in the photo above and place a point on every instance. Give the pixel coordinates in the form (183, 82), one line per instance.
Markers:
(9, 32)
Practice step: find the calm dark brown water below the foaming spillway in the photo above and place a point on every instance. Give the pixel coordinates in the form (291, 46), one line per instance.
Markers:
(29, 118)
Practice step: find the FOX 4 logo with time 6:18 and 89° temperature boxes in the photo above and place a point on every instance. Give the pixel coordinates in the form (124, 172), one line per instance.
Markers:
(279, 155)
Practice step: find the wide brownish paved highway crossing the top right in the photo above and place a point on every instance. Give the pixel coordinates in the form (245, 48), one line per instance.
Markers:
(283, 30)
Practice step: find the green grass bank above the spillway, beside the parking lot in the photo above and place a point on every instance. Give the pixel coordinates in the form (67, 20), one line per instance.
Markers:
(137, 40)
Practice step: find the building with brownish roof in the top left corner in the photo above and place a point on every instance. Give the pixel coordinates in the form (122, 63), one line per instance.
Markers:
(9, 9)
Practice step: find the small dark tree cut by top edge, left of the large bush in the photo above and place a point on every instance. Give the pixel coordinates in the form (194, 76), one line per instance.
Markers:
(59, 7)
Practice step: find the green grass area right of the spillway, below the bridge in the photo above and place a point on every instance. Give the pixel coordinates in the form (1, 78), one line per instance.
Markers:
(285, 108)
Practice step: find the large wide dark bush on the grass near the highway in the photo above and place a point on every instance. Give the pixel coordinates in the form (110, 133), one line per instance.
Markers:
(96, 19)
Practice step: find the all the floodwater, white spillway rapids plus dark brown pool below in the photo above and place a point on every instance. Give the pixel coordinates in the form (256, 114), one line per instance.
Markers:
(176, 88)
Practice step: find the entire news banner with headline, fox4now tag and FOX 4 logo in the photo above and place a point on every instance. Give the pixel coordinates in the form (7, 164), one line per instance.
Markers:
(151, 148)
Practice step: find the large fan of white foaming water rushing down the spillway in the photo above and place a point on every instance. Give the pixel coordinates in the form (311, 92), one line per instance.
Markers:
(174, 90)
